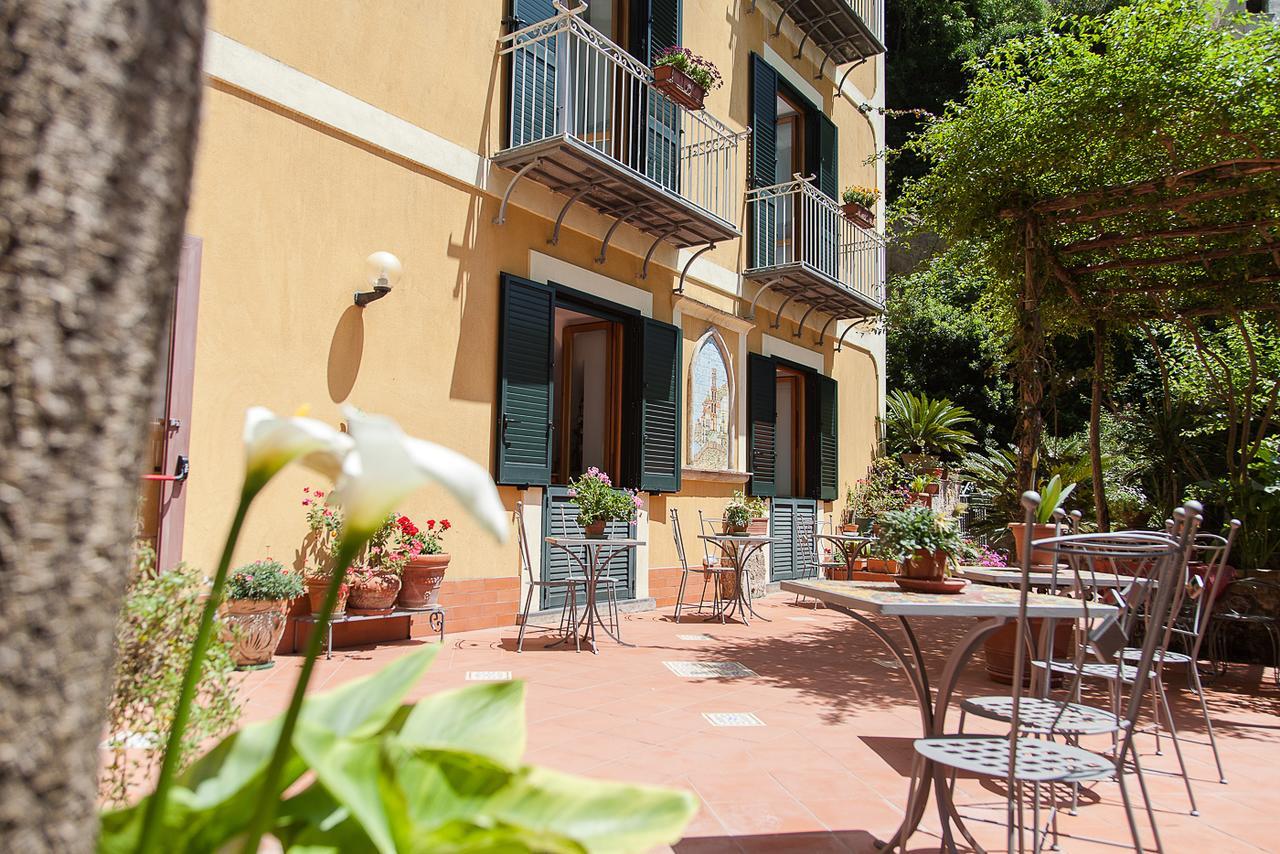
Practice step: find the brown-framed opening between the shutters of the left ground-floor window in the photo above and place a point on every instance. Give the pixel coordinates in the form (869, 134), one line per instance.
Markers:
(588, 417)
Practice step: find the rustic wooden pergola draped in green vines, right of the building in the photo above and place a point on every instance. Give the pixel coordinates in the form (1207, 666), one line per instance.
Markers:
(1195, 244)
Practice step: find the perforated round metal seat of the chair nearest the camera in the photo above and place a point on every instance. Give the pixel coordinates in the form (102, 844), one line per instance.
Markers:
(1037, 761)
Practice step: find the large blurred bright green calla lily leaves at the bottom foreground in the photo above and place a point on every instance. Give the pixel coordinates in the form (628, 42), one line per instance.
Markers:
(442, 775)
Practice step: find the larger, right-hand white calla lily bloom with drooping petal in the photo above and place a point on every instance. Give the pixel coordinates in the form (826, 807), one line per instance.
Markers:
(385, 467)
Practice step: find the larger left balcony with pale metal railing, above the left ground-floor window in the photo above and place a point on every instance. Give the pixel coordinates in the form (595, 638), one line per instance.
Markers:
(586, 121)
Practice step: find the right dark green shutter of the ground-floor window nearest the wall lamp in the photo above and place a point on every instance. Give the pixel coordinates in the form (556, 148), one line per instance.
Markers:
(660, 408)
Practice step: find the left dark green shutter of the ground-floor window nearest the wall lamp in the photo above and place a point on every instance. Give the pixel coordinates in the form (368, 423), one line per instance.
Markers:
(525, 383)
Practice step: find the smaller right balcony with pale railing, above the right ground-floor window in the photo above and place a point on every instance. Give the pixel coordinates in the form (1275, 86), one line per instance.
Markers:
(804, 248)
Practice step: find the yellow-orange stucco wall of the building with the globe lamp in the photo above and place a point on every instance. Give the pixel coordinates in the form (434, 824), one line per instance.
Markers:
(289, 209)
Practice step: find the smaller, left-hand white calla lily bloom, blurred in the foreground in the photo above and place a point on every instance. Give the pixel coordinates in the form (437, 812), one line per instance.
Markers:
(273, 442)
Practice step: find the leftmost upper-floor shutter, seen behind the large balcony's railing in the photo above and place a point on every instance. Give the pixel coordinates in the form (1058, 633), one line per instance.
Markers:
(533, 77)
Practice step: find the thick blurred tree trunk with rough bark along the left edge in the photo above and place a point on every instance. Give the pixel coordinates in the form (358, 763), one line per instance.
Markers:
(99, 104)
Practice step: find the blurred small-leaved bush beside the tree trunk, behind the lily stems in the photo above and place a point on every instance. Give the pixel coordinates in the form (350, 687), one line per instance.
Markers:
(153, 645)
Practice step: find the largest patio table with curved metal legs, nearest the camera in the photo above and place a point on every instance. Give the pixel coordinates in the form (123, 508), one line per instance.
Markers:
(996, 606)
